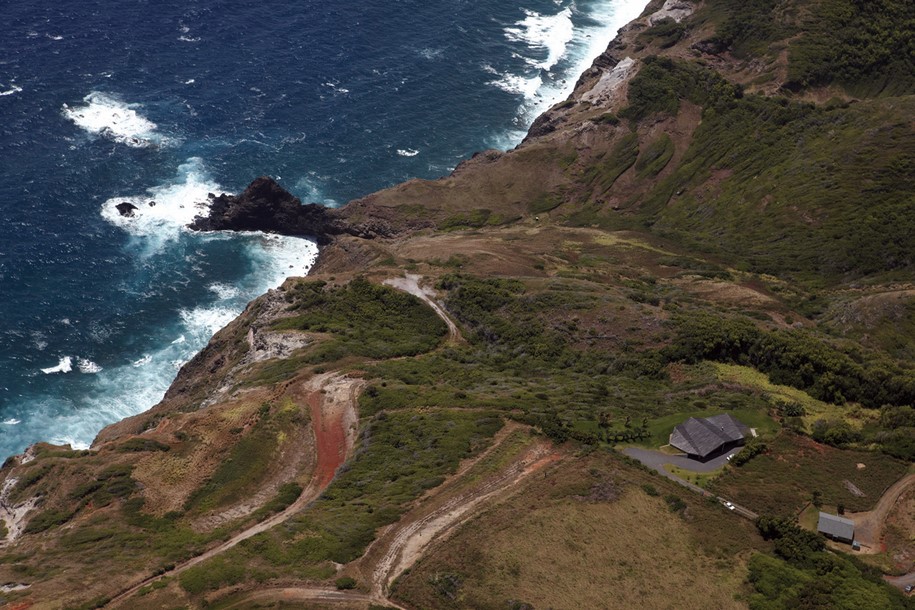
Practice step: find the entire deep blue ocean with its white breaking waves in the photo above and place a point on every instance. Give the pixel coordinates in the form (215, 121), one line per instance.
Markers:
(103, 101)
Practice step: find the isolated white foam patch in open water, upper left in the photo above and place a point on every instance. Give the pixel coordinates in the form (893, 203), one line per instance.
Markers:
(107, 116)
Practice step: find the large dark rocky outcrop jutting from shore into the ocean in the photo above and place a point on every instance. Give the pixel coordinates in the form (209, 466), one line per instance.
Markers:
(266, 206)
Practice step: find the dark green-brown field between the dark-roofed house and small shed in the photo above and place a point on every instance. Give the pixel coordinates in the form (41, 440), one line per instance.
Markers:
(781, 481)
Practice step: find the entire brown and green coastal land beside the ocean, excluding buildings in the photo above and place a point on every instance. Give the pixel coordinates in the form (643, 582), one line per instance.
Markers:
(707, 224)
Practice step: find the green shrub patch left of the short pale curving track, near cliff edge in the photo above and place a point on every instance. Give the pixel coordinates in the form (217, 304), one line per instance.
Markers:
(364, 319)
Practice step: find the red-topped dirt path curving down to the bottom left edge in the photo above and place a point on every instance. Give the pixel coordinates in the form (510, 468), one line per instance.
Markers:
(332, 401)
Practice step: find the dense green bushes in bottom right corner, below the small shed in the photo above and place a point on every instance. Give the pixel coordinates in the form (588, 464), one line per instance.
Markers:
(805, 576)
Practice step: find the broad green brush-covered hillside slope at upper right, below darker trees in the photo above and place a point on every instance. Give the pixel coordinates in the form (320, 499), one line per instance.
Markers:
(829, 185)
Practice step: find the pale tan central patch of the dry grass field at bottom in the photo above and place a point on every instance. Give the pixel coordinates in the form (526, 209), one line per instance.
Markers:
(628, 554)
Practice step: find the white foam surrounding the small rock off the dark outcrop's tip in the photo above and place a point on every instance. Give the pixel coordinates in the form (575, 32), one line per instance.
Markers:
(165, 211)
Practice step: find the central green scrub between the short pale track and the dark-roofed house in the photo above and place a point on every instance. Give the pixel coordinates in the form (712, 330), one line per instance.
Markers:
(530, 353)
